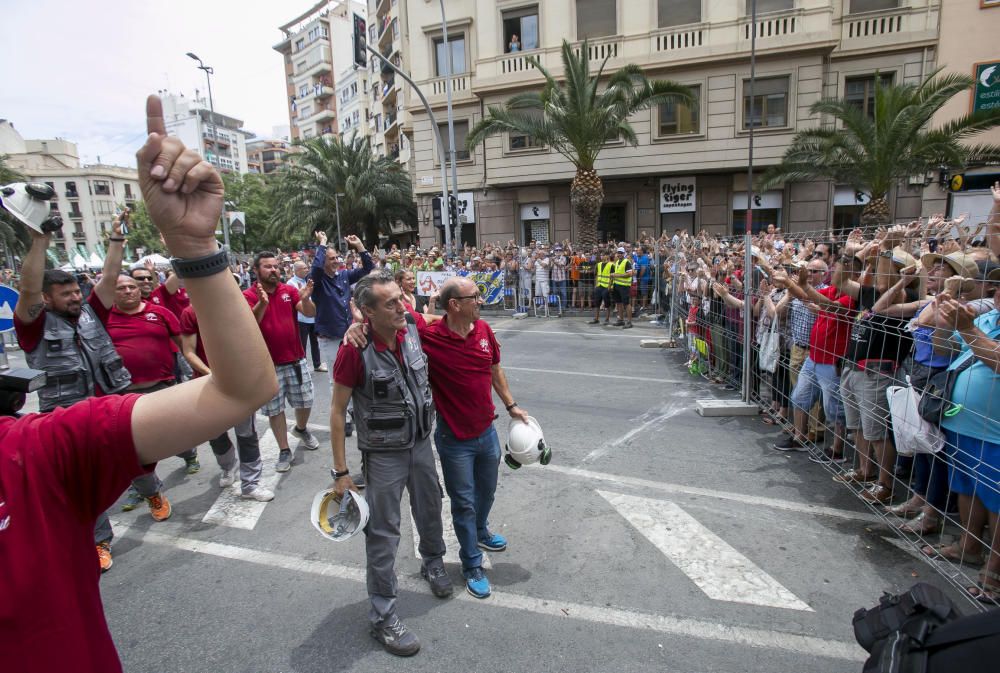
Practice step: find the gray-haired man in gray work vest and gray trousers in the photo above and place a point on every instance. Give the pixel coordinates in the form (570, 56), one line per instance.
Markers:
(387, 380)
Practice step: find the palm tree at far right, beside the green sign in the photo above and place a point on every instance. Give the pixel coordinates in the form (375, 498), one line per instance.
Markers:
(872, 153)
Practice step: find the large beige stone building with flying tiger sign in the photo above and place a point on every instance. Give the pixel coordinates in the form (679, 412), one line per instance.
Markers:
(806, 49)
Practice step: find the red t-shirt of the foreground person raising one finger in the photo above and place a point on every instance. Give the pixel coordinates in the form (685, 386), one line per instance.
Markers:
(58, 472)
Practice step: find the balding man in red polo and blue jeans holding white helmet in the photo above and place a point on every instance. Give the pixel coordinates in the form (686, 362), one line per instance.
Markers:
(464, 368)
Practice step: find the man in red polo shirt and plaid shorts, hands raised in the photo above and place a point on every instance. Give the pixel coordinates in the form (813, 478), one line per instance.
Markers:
(276, 306)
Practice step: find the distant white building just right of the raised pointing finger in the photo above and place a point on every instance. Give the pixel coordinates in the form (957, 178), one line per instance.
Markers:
(217, 137)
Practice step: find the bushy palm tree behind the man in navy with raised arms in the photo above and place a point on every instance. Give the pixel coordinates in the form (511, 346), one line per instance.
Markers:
(376, 190)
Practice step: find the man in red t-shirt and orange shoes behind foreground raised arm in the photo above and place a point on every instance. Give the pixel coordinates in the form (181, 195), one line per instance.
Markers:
(146, 336)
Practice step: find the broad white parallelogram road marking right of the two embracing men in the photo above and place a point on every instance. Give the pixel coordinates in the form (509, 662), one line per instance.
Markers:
(720, 571)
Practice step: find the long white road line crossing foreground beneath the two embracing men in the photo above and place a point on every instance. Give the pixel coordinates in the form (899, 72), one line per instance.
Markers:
(809, 646)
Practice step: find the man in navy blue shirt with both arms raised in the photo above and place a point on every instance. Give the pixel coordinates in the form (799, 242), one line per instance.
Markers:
(332, 296)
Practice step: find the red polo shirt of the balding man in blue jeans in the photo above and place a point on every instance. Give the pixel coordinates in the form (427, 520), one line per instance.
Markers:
(461, 375)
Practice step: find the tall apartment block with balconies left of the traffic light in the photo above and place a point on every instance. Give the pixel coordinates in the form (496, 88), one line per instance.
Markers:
(316, 45)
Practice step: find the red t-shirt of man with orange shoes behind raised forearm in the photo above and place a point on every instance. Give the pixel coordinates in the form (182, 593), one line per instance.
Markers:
(142, 339)
